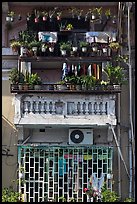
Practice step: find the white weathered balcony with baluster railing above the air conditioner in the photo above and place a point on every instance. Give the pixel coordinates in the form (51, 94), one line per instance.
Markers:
(66, 108)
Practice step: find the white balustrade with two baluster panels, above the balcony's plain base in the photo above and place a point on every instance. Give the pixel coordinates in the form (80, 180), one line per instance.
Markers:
(63, 105)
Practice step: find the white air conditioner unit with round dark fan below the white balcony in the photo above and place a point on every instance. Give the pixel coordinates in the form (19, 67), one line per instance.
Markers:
(81, 136)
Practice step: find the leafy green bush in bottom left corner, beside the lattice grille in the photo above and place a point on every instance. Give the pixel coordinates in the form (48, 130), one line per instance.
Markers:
(9, 195)
